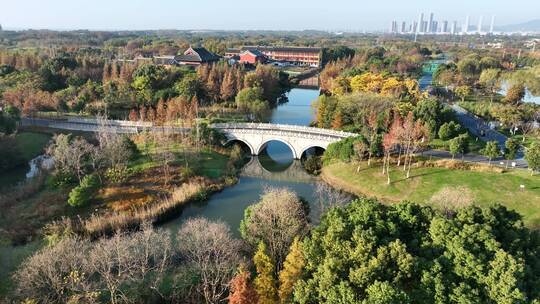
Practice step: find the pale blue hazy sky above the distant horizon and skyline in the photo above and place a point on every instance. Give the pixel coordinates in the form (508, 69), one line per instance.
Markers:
(251, 15)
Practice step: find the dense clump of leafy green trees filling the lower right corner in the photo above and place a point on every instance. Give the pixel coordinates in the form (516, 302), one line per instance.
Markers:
(368, 252)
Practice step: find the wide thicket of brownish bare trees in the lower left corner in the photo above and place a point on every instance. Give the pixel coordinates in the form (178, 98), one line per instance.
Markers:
(125, 266)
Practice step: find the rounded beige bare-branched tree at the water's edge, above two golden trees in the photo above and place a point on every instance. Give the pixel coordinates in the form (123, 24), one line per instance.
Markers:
(276, 220)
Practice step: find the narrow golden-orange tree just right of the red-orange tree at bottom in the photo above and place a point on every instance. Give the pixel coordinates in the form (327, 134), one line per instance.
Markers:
(265, 282)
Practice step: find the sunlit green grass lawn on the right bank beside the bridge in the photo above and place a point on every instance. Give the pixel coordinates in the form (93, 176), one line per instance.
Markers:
(488, 188)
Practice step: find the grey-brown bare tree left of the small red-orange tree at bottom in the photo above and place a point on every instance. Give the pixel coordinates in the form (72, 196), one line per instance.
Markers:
(209, 250)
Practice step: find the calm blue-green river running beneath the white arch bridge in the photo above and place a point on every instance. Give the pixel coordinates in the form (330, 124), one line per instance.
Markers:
(279, 170)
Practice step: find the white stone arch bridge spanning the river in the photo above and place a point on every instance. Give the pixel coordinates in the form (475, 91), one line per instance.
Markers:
(298, 138)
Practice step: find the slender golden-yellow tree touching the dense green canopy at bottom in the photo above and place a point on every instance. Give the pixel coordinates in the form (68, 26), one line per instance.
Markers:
(291, 272)
